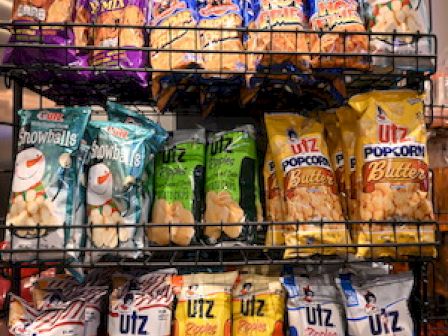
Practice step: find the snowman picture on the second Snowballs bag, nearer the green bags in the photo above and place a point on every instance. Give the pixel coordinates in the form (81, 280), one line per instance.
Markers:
(102, 209)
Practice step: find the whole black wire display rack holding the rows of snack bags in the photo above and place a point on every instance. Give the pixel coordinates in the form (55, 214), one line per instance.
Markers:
(268, 87)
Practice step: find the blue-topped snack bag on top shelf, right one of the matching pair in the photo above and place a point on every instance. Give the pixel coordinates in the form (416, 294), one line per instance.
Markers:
(221, 15)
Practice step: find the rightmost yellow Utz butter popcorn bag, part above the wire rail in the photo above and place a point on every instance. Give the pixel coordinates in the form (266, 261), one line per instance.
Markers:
(391, 152)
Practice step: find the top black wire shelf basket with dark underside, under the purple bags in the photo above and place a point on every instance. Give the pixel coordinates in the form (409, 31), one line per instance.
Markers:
(355, 71)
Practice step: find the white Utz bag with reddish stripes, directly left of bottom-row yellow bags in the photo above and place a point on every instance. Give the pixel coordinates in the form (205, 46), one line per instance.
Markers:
(142, 306)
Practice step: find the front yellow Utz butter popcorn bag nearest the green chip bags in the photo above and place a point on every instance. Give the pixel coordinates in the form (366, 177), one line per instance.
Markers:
(309, 183)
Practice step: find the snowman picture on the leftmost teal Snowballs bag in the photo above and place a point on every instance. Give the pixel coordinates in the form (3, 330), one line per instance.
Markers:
(30, 204)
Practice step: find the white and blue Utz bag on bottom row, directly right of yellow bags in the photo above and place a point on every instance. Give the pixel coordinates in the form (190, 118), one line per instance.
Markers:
(314, 306)
